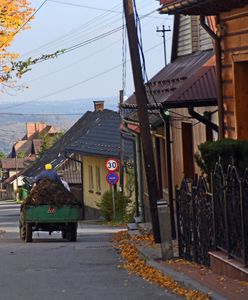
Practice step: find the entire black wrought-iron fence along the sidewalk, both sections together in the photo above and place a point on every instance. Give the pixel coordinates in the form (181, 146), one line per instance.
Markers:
(213, 220)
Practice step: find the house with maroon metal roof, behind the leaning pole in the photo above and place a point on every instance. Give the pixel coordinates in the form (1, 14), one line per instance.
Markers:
(182, 101)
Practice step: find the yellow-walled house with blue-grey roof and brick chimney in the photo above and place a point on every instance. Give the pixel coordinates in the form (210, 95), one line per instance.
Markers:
(99, 143)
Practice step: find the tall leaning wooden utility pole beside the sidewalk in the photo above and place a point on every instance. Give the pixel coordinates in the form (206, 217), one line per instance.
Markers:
(141, 100)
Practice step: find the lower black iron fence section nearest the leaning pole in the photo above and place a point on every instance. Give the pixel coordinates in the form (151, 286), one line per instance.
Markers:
(194, 221)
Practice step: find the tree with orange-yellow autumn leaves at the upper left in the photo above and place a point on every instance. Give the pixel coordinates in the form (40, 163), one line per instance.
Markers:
(14, 15)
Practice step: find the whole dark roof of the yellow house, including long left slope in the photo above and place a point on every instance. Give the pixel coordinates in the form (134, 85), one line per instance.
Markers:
(95, 133)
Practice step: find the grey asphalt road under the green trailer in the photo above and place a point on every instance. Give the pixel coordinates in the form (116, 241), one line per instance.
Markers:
(52, 268)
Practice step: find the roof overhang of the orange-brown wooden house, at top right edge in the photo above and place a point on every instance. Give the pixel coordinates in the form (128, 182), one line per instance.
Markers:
(199, 7)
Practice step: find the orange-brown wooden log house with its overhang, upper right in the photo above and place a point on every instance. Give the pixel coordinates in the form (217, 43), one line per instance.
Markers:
(231, 48)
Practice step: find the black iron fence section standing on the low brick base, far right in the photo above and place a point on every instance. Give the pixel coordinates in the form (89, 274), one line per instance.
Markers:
(230, 206)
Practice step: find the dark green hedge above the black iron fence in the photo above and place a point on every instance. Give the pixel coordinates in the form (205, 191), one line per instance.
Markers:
(227, 151)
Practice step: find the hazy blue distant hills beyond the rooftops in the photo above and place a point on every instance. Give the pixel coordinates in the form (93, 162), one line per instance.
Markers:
(13, 127)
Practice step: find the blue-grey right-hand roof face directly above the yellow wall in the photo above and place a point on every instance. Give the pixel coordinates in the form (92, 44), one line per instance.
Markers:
(102, 138)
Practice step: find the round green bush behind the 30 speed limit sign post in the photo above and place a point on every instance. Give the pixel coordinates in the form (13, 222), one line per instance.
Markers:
(121, 204)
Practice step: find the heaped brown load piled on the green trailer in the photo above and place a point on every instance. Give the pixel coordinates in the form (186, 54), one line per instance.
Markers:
(48, 192)
